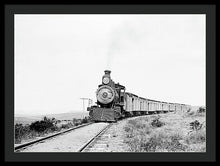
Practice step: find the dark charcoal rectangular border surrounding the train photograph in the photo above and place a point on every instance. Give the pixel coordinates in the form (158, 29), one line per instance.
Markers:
(208, 10)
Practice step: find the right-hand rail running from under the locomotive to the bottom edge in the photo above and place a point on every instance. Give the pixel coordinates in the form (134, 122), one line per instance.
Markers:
(88, 145)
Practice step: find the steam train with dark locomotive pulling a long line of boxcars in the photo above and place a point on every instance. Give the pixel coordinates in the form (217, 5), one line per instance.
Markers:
(114, 103)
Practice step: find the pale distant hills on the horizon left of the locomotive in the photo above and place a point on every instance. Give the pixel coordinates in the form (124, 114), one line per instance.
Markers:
(62, 116)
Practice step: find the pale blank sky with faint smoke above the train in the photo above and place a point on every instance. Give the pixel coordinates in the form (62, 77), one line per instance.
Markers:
(59, 59)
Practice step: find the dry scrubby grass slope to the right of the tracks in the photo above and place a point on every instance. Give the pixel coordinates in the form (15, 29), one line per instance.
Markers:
(169, 132)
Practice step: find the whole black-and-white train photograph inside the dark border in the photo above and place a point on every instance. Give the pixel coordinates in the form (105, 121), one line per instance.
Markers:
(109, 83)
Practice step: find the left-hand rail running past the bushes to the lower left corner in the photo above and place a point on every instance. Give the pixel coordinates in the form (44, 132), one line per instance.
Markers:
(25, 145)
